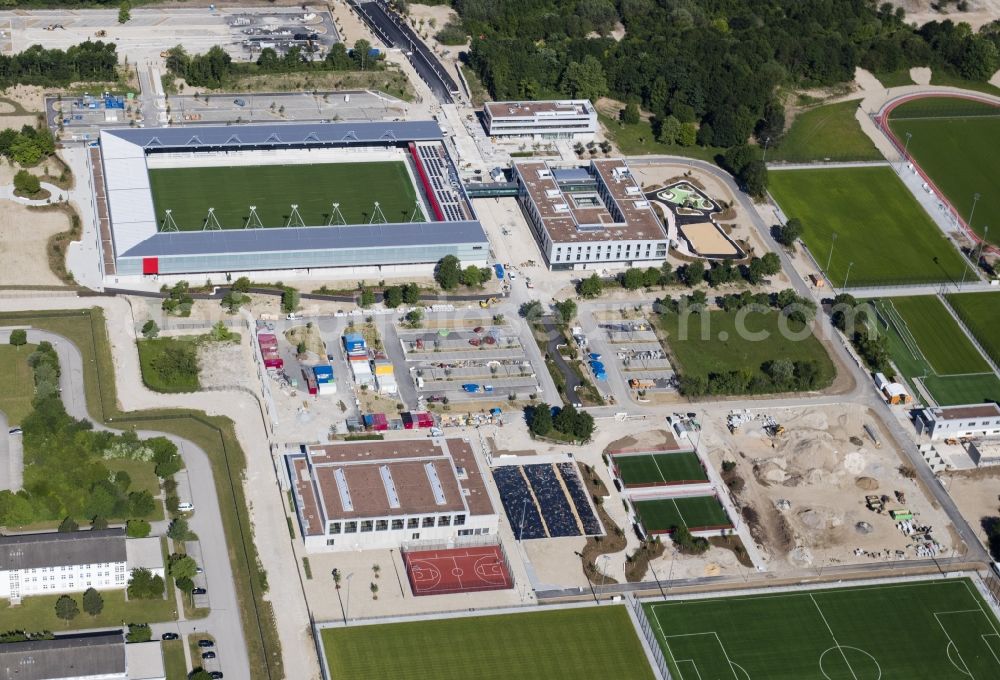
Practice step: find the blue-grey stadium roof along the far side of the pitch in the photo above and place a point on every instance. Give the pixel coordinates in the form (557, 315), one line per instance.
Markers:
(278, 134)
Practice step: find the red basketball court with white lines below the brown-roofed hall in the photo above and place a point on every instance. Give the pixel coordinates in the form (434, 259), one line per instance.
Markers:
(459, 570)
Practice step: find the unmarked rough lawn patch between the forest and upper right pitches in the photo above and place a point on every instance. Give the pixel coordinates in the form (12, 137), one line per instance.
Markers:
(826, 132)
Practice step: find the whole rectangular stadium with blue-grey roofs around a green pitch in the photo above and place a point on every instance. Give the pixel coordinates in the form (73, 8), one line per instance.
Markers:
(365, 198)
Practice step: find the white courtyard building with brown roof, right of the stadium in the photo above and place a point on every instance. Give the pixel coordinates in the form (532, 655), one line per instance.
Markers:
(590, 218)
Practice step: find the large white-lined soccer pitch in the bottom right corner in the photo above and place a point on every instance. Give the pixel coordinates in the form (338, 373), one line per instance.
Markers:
(927, 630)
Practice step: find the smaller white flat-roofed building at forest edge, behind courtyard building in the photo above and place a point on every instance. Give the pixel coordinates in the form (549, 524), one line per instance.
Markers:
(563, 119)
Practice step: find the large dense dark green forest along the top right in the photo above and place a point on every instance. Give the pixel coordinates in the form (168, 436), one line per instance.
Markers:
(717, 63)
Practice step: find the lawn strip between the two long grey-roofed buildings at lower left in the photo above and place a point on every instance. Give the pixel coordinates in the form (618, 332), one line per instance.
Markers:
(39, 613)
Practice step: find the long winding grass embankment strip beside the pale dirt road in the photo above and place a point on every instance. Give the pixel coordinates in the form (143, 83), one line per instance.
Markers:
(214, 434)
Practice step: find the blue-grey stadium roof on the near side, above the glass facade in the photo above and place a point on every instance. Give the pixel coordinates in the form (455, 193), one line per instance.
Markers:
(276, 239)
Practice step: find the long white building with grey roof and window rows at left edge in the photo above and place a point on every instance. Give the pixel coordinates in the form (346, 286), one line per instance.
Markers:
(43, 564)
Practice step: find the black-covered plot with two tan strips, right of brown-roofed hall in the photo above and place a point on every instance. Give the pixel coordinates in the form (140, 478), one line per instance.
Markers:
(546, 500)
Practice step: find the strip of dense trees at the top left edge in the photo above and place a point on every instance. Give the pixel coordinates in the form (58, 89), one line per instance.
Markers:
(87, 62)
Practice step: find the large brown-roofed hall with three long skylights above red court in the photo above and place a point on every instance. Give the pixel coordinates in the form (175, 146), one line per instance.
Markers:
(381, 494)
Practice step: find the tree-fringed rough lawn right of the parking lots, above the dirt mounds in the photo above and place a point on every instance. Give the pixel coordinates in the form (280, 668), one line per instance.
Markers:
(698, 353)
